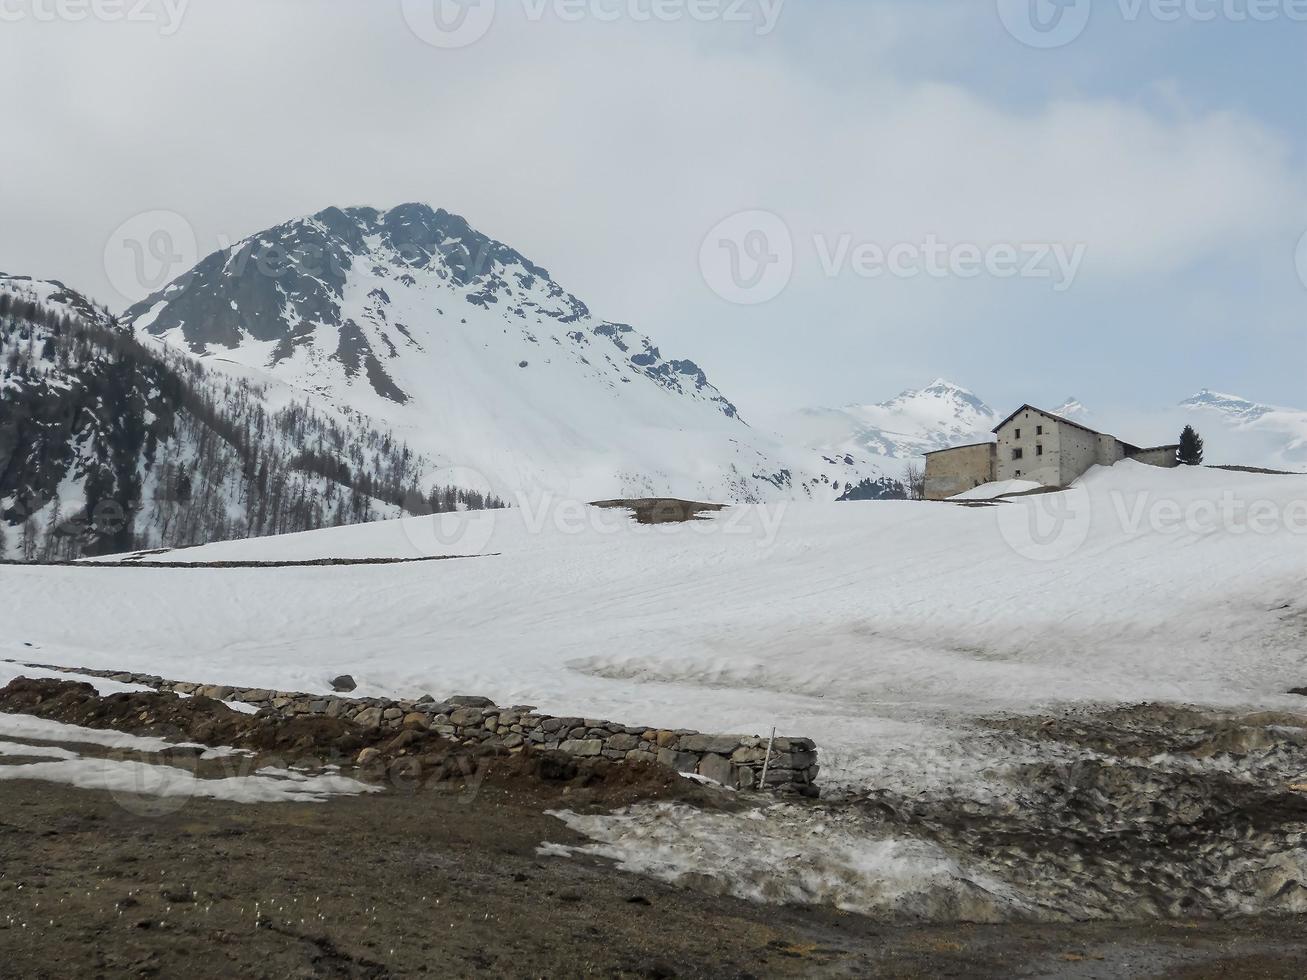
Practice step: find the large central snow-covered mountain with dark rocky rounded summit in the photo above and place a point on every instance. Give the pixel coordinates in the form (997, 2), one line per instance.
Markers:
(474, 356)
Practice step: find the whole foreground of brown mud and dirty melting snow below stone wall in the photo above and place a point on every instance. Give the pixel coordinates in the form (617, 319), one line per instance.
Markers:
(471, 863)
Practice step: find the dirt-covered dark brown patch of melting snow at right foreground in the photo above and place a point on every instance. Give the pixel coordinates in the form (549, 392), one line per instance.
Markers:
(1151, 812)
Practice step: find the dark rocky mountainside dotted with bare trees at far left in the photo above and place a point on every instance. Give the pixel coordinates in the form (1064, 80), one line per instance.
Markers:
(108, 445)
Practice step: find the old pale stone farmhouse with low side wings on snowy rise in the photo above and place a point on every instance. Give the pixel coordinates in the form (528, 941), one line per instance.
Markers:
(1034, 446)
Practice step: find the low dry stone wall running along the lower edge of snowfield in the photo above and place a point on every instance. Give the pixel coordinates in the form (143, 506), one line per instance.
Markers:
(734, 761)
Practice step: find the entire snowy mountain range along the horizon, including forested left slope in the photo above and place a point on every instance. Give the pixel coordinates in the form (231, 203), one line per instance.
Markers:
(361, 364)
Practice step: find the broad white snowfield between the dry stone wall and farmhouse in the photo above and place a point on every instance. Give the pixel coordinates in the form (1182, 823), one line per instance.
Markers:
(879, 629)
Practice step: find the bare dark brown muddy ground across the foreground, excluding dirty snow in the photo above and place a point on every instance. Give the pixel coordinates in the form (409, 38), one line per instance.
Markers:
(441, 877)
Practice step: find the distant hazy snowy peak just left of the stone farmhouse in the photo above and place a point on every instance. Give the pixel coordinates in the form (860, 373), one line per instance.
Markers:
(914, 423)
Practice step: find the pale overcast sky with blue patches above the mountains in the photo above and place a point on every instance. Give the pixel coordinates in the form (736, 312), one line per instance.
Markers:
(1150, 174)
